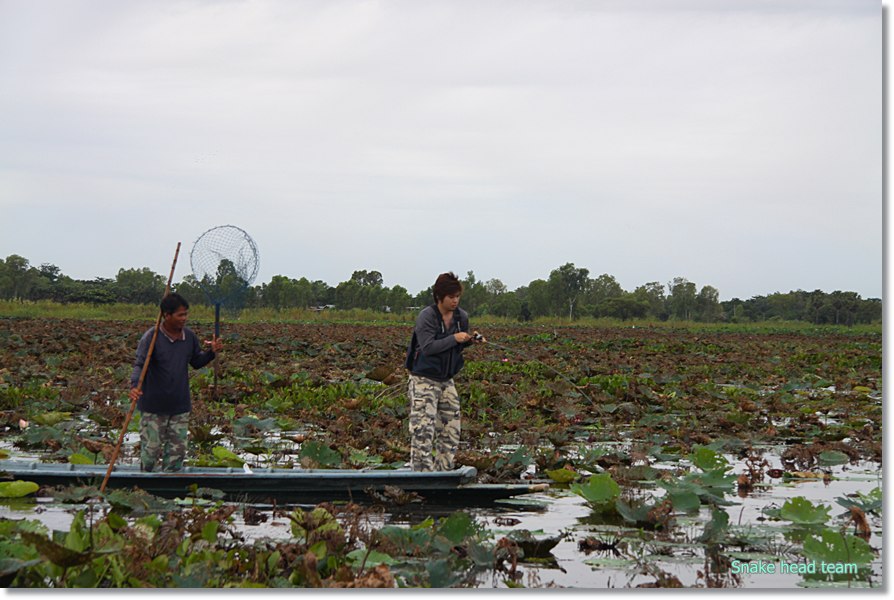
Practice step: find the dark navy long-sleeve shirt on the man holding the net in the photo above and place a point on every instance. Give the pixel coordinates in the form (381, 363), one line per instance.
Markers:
(166, 386)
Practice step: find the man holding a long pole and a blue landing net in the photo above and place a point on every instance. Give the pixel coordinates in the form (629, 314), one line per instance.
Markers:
(164, 401)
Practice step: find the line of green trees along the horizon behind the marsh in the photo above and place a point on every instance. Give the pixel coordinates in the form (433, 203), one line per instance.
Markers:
(568, 292)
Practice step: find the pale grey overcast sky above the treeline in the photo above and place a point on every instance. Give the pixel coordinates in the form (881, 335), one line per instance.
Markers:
(737, 144)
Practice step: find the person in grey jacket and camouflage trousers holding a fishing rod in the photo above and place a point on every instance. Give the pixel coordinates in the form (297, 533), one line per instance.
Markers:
(434, 358)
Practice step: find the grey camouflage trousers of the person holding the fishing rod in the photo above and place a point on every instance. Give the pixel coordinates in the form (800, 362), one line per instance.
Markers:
(434, 423)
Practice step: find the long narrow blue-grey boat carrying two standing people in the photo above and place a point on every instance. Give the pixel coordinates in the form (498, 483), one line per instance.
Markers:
(283, 485)
